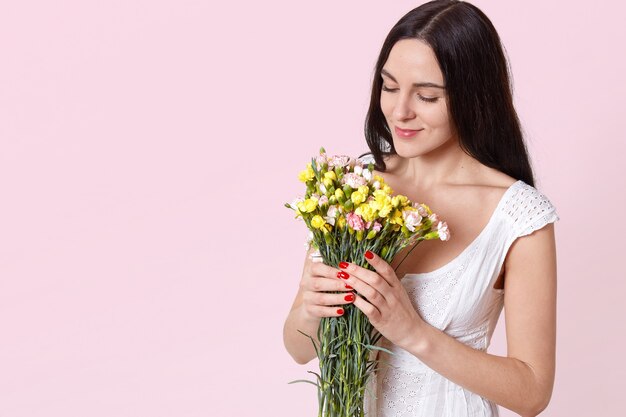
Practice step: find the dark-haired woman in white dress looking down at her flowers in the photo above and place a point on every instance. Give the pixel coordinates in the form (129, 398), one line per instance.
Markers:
(442, 130)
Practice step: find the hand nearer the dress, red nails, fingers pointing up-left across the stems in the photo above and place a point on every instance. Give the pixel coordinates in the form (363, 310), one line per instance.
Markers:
(388, 306)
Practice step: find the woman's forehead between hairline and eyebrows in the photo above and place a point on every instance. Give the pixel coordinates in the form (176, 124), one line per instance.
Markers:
(412, 60)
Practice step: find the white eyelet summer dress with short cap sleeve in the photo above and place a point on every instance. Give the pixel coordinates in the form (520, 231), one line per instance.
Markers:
(458, 299)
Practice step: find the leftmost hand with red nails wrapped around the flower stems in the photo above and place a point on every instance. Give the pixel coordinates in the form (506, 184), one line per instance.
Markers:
(317, 278)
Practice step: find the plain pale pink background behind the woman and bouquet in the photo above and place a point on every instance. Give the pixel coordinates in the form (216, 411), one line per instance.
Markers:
(146, 260)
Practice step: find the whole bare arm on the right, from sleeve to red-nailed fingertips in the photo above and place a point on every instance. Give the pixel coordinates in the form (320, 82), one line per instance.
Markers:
(523, 380)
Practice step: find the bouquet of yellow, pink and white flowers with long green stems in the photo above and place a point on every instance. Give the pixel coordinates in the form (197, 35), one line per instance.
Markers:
(348, 211)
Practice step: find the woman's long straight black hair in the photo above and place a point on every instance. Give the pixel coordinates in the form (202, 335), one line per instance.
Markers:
(476, 75)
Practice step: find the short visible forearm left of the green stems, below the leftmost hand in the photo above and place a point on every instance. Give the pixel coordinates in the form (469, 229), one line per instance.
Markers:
(298, 345)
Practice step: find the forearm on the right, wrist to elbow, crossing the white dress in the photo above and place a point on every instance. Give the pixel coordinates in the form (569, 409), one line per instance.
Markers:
(506, 381)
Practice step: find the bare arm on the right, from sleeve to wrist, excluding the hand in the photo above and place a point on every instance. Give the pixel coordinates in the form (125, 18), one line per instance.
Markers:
(523, 380)
